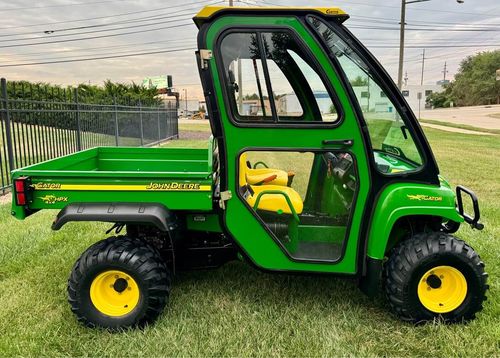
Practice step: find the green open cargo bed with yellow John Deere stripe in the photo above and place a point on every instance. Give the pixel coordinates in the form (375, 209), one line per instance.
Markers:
(179, 178)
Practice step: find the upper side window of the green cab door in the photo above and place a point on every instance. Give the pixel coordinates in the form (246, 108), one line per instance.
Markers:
(269, 77)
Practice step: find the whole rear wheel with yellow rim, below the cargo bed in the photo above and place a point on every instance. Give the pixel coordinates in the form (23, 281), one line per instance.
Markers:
(117, 283)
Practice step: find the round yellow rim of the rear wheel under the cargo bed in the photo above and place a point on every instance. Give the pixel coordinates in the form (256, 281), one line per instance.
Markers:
(114, 293)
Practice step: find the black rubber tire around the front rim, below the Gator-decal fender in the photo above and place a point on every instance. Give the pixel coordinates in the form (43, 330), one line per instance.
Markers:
(413, 258)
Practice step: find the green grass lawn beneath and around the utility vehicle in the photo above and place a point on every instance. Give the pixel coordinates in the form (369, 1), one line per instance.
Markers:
(236, 310)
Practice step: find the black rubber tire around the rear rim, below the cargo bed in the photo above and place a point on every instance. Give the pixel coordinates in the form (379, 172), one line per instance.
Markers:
(136, 259)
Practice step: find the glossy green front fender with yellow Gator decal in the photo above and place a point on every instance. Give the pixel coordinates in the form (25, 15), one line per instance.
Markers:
(399, 200)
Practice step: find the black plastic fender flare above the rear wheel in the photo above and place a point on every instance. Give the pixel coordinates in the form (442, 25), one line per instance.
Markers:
(128, 213)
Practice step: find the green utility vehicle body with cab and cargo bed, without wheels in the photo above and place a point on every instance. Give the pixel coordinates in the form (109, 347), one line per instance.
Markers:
(201, 186)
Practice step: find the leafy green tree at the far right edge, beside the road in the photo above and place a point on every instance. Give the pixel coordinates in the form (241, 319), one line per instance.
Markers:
(475, 83)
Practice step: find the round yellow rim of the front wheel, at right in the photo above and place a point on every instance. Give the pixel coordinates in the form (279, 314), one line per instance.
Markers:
(442, 289)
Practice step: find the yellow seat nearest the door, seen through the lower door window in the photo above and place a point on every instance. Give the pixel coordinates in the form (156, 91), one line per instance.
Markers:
(275, 200)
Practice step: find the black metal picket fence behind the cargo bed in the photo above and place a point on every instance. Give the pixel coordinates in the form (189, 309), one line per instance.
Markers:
(35, 130)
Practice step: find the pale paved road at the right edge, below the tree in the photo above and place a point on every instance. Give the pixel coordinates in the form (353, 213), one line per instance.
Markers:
(477, 116)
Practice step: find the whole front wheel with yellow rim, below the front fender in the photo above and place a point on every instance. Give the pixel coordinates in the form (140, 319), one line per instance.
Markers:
(435, 275)
